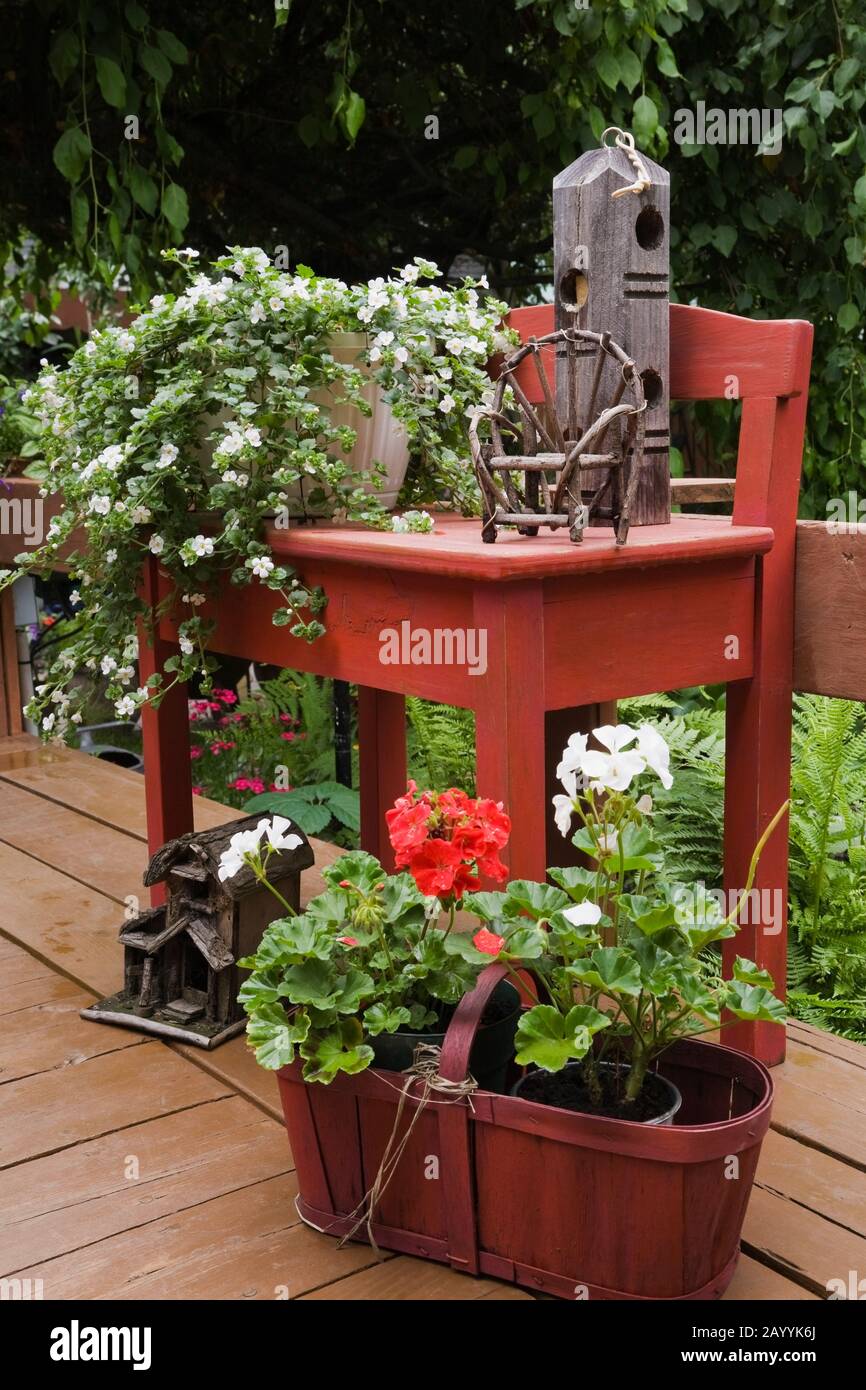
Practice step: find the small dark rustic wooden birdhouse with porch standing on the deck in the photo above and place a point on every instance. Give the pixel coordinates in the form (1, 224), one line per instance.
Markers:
(181, 976)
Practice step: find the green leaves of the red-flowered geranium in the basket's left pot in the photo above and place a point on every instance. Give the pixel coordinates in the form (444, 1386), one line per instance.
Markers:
(365, 958)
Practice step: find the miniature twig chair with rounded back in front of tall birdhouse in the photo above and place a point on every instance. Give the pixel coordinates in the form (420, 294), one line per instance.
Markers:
(541, 482)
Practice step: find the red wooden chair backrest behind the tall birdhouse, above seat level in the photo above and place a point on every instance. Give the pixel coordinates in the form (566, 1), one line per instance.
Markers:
(714, 357)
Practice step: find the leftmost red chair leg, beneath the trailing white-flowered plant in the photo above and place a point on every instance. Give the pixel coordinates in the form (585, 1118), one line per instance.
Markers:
(166, 740)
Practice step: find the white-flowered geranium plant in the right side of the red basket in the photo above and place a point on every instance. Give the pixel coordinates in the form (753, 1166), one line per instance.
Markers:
(618, 947)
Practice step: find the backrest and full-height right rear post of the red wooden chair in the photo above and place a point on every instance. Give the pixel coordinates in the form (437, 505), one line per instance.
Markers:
(765, 365)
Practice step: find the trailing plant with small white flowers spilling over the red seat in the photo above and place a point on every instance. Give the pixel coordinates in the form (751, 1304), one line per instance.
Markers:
(181, 433)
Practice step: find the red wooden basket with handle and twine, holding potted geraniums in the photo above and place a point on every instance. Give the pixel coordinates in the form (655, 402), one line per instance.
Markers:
(576, 1206)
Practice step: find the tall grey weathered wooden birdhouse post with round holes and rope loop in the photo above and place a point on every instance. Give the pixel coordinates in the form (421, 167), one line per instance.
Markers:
(612, 269)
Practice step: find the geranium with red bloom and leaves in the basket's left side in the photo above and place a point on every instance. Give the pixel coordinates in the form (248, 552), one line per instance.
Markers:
(370, 956)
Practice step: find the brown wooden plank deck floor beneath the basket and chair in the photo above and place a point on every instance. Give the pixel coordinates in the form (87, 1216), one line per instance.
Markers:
(140, 1170)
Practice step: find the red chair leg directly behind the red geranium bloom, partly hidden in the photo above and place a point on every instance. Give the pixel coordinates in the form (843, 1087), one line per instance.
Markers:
(382, 718)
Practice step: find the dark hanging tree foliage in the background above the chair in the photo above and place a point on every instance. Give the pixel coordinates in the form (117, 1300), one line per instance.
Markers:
(398, 104)
